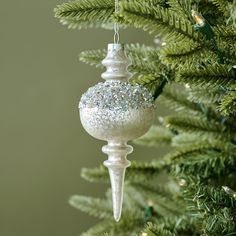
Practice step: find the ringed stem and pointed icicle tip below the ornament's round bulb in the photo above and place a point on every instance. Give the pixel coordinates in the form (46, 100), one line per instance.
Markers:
(117, 164)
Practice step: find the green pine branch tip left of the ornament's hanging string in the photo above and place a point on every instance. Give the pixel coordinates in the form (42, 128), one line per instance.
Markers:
(85, 13)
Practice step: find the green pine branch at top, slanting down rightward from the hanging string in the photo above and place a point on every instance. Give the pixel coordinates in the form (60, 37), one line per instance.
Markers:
(154, 19)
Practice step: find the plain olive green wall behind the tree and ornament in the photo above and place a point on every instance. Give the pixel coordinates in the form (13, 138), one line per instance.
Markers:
(43, 145)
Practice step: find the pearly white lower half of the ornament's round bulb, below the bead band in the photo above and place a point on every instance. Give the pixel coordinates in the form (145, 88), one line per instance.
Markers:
(117, 126)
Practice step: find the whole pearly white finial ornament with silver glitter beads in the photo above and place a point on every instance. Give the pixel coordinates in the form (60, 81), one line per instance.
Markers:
(116, 111)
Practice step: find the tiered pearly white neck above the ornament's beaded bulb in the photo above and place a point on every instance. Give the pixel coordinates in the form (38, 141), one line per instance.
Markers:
(116, 63)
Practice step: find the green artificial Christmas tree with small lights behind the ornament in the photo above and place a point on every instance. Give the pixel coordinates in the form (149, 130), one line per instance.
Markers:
(192, 71)
